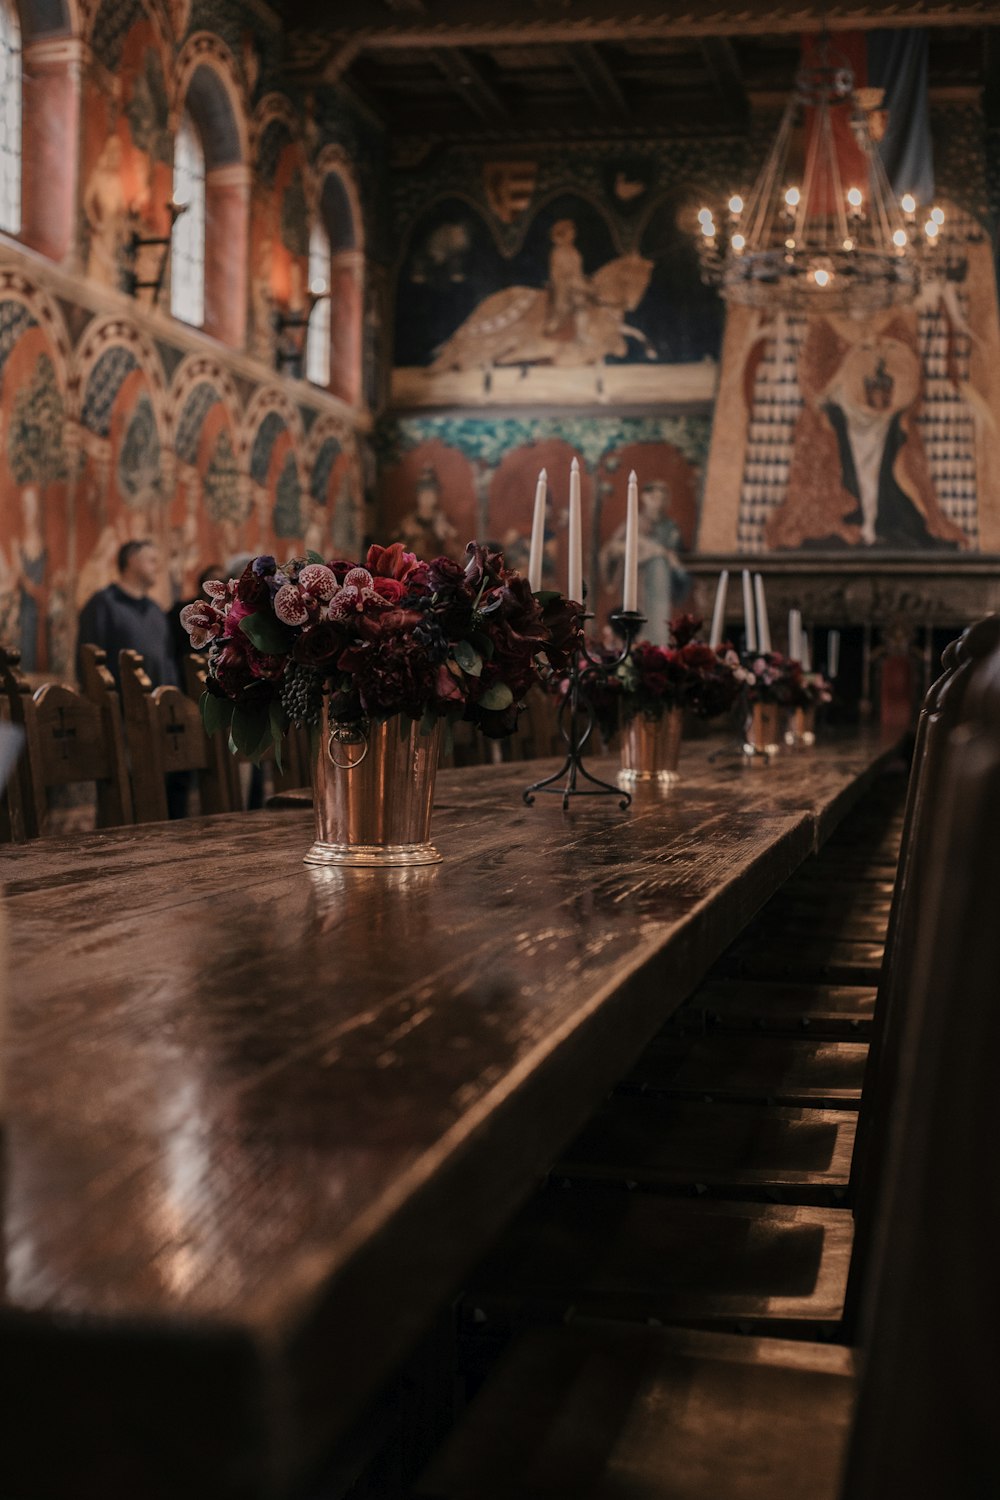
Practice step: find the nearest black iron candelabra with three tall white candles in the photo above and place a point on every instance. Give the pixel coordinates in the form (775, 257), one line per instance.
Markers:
(585, 668)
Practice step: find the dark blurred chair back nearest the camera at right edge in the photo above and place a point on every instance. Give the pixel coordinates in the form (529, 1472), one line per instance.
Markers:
(930, 1393)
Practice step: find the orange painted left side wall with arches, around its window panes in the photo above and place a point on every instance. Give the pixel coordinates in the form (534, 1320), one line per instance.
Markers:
(119, 424)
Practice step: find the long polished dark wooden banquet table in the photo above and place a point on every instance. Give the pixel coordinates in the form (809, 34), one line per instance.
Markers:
(262, 1120)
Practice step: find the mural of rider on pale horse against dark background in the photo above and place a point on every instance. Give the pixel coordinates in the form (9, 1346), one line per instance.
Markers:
(522, 292)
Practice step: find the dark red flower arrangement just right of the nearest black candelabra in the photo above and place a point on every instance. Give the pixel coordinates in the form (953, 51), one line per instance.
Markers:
(686, 674)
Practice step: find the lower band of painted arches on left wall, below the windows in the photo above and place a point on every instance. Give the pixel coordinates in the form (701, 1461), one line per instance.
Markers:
(101, 448)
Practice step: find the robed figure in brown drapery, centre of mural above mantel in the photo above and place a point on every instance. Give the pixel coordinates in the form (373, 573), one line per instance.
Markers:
(860, 472)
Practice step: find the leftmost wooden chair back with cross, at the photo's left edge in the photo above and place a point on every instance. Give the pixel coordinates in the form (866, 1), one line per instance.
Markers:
(68, 739)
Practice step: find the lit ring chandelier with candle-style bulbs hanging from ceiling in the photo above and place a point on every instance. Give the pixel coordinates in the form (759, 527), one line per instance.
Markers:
(821, 229)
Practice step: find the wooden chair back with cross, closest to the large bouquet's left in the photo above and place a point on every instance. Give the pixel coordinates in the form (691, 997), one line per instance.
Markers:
(164, 734)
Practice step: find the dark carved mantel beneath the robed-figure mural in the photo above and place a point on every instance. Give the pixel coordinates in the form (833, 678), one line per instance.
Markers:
(921, 590)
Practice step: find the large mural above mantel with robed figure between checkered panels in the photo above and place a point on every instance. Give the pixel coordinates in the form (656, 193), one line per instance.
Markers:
(879, 436)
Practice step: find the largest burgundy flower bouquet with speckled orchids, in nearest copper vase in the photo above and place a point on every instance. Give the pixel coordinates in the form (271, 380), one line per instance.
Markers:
(397, 635)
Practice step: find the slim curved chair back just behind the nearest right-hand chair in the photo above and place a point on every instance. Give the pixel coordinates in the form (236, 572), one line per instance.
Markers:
(939, 716)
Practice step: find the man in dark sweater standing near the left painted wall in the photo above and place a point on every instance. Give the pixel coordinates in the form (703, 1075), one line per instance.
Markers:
(122, 617)
